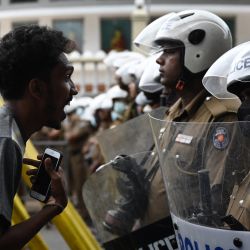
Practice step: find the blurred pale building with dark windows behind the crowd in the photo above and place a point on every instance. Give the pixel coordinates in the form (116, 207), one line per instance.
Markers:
(108, 24)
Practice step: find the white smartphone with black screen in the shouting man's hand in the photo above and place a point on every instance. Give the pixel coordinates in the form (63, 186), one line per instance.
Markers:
(40, 189)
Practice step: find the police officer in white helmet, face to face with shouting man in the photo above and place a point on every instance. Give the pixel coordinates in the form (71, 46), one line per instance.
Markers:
(189, 42)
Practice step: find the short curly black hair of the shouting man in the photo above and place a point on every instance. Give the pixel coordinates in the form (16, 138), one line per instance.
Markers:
(29, 52)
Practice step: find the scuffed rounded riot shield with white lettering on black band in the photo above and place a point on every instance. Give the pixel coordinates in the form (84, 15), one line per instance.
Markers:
(117, 197)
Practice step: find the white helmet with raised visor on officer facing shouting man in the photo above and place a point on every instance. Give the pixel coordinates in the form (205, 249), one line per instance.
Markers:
(204, 35)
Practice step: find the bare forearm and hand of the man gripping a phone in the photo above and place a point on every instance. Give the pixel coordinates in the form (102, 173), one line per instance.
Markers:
(19, 235)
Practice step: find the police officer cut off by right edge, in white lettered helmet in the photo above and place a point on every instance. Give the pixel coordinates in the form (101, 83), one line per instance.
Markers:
(236, 79)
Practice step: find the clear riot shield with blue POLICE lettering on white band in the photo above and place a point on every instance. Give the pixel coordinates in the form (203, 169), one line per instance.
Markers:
(205, 167)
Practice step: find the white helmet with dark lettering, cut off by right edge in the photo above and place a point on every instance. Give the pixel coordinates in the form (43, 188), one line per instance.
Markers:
(230, 69)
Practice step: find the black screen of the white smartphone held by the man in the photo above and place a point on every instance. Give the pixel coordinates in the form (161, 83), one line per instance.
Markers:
(43, 179)
